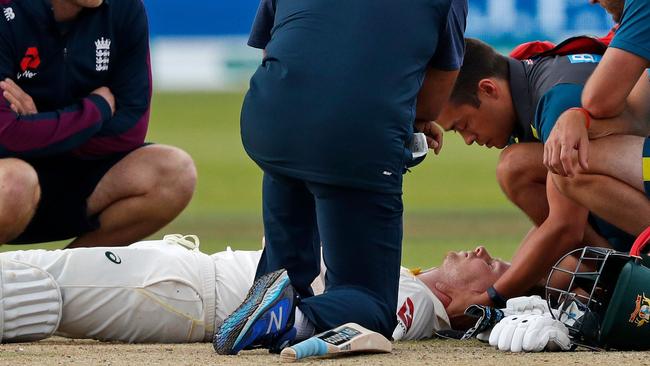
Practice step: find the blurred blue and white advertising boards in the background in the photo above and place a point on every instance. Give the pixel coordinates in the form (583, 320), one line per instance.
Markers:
(201, 44)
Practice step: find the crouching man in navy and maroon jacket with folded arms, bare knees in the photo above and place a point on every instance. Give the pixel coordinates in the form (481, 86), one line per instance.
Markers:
(75, 82)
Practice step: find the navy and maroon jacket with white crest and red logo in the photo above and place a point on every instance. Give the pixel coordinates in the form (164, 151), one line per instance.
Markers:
(60, 64)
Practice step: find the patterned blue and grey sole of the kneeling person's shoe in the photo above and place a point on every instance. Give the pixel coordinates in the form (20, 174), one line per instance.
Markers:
(263, 295)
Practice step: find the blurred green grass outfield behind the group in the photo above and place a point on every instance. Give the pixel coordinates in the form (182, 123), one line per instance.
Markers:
(452, 201)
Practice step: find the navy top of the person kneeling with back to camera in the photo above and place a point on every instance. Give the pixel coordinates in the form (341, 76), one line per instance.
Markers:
(334, 99)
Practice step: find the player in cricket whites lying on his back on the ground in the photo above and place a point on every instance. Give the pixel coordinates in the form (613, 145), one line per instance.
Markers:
(167, 291)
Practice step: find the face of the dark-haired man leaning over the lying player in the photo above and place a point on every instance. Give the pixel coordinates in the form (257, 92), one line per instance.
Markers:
(488, 125)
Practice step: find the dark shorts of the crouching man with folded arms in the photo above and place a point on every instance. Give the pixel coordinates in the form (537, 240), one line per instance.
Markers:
(66, 183)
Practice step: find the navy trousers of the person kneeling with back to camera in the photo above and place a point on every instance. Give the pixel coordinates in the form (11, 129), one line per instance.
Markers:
(361, 236)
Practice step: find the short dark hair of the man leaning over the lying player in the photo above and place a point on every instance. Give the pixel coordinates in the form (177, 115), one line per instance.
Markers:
(481, 61)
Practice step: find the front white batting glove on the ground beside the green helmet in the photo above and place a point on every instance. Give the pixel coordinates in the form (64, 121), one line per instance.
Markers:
(530, 333)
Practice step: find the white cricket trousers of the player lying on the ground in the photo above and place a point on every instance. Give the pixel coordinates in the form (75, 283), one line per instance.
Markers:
(152, 291)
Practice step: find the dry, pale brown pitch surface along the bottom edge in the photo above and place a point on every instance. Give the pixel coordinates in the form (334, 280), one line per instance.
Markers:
(61, 351)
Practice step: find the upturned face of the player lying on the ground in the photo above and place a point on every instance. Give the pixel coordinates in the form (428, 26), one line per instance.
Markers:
(475, 270)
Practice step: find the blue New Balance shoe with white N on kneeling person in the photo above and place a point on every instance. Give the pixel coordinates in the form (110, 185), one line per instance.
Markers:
(264, 319)
